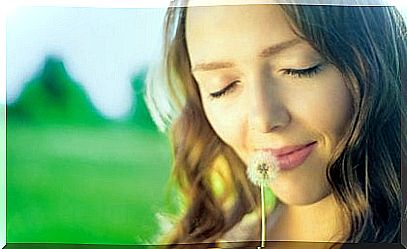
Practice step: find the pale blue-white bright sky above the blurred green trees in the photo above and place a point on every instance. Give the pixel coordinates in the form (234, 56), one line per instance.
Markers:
(102, 48)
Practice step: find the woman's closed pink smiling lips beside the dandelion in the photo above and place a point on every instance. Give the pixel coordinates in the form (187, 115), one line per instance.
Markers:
(291, 157)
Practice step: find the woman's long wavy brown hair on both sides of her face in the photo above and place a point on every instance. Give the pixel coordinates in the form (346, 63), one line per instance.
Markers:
(368, 46)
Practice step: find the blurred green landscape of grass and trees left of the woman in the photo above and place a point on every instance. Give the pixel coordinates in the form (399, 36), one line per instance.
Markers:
(74, 176)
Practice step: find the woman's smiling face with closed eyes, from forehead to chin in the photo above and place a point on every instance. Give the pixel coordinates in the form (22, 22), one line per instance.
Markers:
(265, 89)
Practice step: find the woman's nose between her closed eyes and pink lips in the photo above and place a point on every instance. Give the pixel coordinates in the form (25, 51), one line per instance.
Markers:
(267, 109)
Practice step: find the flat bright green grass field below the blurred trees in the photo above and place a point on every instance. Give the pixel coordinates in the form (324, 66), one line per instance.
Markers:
(70, 184)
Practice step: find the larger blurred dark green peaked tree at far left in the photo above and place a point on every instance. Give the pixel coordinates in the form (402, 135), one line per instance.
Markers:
(52, 97)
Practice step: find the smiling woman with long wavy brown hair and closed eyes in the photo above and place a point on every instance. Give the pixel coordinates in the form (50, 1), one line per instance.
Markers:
(317, 87)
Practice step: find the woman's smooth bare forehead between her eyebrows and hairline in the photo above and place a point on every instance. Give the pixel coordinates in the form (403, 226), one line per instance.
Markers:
(231, 31)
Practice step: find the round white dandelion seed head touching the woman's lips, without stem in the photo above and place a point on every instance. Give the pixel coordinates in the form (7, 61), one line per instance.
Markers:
(262, 168)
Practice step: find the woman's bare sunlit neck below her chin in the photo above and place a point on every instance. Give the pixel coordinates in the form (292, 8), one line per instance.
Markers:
(318, 222)
